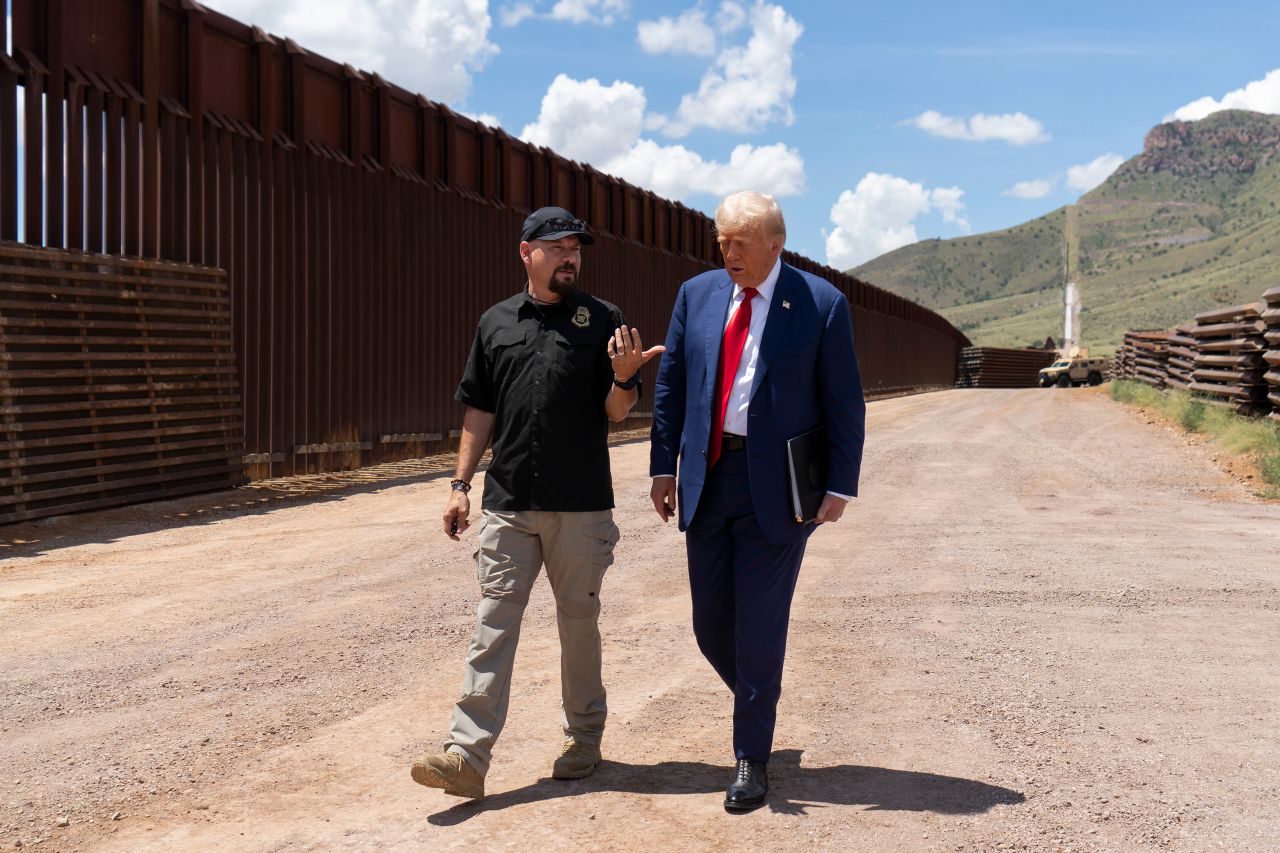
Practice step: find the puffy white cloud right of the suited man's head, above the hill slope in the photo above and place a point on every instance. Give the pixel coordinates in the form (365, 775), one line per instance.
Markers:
(879, 216)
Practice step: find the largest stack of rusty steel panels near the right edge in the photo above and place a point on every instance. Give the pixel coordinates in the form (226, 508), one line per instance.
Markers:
(1229, 367)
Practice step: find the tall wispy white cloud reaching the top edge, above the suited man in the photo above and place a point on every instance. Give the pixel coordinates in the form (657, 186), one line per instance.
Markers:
(748, 86)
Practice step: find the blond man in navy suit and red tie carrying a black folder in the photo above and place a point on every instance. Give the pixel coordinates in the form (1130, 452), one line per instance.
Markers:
(757, 354)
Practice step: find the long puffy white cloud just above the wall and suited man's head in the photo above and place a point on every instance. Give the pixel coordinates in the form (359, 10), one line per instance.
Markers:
(604, 126)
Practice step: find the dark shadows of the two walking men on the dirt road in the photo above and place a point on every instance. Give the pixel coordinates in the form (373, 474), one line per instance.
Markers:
(793, 790)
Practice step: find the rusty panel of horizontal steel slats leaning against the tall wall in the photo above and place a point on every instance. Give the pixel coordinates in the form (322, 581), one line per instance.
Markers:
(117, 382)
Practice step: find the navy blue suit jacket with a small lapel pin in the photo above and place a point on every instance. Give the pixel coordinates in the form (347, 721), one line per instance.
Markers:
(807, 376)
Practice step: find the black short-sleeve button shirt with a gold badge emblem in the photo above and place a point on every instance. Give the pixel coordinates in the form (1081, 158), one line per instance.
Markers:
(543, 371)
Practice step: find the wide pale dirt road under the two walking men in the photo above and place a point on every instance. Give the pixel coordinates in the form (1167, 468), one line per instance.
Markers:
(1045, 624)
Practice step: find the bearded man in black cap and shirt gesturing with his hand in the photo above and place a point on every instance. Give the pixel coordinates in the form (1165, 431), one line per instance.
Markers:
(548, 370)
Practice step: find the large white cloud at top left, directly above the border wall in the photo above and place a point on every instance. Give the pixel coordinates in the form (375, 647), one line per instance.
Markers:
(432, 47)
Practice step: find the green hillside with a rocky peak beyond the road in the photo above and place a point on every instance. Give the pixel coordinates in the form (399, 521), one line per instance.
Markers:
(1190, 223)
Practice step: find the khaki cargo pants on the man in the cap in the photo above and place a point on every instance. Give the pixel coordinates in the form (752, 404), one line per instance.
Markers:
(577, 548)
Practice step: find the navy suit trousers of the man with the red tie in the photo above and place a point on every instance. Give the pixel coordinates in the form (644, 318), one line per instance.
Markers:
(742, 587)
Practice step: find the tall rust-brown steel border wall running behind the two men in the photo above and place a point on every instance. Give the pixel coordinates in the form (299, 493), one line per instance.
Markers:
(362, 229)
